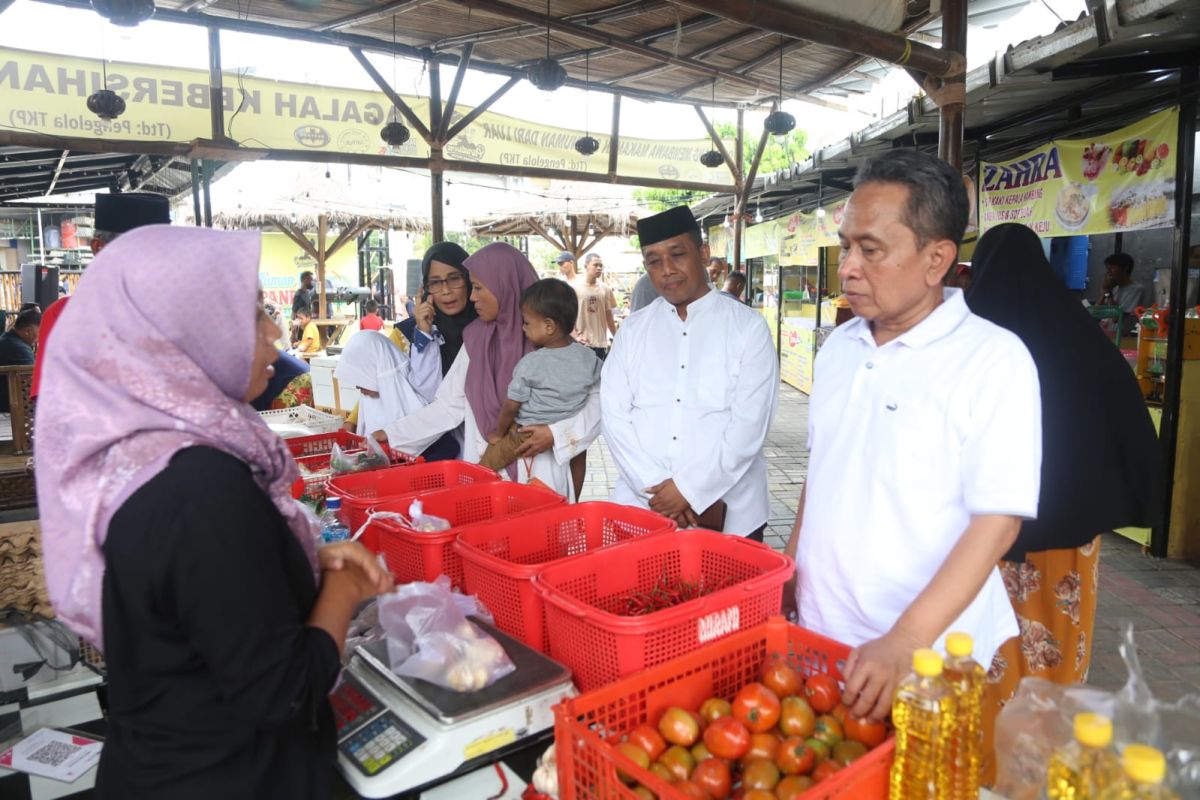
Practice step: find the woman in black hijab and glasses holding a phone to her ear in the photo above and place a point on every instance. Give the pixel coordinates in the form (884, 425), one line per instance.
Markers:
(443, 311)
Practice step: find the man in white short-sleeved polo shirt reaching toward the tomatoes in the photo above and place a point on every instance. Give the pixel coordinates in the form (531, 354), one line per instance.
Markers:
(925, 437)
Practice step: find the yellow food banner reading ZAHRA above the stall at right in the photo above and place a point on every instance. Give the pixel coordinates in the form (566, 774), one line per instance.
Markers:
(1123, 182)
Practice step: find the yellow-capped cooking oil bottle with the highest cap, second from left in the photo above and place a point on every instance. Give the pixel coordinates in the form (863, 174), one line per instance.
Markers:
(968, 679)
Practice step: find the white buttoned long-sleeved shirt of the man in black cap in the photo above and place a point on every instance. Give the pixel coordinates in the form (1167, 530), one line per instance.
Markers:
(693, 401)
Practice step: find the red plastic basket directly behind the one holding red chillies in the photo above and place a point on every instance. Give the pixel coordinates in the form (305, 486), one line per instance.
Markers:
(501, 558)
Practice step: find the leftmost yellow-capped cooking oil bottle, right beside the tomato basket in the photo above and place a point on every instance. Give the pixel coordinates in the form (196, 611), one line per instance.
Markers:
(923, 715)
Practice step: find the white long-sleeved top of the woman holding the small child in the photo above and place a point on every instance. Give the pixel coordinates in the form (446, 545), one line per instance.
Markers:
(451, 410)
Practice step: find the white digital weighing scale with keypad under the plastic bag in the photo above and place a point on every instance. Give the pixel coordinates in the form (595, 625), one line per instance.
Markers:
(397, 735)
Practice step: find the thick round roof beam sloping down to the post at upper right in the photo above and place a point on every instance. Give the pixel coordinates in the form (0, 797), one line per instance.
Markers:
(824, 29)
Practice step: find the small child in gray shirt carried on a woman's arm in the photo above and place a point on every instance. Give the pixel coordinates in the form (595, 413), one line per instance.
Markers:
(550, 384)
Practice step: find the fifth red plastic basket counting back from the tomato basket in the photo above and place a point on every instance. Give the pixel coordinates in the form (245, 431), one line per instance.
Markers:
(362, 491)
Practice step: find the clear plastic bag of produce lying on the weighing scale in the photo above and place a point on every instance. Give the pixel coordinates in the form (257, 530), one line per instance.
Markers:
(430, 637)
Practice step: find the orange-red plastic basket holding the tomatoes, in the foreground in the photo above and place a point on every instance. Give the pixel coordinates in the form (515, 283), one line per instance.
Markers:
(587, 726)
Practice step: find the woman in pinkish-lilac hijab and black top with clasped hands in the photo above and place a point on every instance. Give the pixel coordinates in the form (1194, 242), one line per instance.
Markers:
(170, 536)
